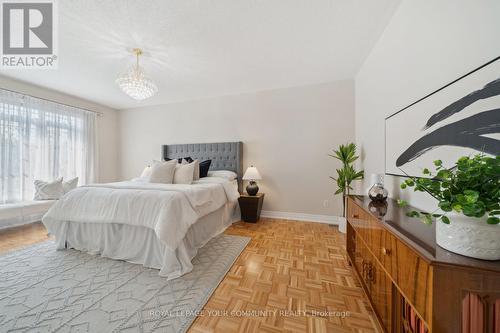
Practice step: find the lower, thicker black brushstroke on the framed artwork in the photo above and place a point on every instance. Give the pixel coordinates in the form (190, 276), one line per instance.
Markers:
(463, 133)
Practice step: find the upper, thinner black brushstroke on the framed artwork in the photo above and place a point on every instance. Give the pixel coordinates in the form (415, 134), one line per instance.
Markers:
(489, 90)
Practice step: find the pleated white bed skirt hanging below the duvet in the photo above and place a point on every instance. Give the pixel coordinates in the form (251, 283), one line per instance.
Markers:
(140, 245)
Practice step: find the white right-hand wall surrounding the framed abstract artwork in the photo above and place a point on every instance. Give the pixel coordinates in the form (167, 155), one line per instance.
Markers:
(426, 45)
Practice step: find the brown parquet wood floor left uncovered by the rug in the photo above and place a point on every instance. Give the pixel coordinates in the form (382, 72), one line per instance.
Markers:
(292, 277)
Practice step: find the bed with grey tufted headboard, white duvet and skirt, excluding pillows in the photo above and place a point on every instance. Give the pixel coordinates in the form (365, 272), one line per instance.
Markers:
(160, 226)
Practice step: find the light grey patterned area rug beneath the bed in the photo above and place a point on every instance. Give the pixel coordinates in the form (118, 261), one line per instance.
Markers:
(44, 290)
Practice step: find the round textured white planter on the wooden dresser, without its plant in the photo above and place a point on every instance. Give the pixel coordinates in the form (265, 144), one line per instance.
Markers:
(469, 236)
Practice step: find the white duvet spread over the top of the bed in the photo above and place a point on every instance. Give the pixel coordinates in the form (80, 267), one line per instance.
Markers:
(168, 209)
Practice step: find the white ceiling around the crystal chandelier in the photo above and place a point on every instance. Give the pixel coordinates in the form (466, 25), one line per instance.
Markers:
(205, 48)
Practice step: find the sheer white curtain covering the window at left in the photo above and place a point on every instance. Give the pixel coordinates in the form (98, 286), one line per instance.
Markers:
(43, 140)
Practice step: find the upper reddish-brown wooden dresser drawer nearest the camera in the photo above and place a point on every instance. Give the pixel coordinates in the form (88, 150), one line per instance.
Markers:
(413, 276)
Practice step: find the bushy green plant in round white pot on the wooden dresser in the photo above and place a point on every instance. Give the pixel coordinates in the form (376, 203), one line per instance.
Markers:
(468, 205)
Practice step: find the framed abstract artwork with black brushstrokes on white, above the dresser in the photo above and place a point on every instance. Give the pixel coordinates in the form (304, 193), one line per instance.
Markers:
(459, 119)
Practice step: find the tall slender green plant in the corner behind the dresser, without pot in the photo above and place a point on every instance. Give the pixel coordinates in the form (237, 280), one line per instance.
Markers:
(346, 154)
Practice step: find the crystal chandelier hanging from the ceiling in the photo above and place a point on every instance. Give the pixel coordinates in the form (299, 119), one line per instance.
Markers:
(135, 83)
